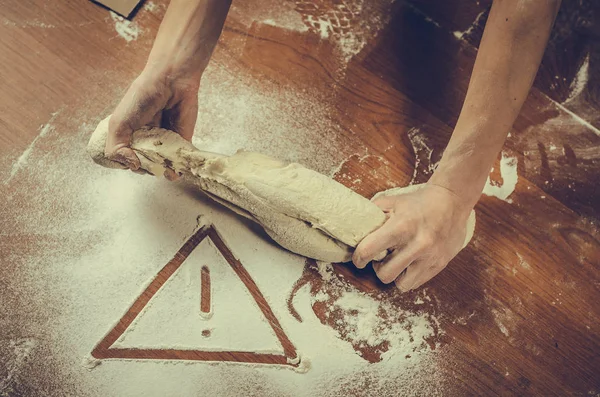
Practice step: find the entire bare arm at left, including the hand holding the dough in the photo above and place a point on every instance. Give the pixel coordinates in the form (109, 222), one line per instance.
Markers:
(165, 94)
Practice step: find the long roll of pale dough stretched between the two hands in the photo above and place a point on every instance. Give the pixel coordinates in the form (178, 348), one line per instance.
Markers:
(301, 209)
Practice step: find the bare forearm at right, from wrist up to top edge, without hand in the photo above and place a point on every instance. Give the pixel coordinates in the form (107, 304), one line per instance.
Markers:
(509, 55)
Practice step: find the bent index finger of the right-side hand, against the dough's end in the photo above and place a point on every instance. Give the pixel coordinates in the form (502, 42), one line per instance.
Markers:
(387, 236)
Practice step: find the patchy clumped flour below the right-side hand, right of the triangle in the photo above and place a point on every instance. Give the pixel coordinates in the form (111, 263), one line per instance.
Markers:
(376, 328)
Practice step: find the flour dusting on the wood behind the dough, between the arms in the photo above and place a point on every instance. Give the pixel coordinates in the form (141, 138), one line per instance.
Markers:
(237, 112)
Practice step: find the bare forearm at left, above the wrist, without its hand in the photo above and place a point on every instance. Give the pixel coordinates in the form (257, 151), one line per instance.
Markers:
(187, 36)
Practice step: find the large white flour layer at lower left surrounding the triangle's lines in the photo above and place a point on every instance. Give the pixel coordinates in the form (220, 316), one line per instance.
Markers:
(102, 235)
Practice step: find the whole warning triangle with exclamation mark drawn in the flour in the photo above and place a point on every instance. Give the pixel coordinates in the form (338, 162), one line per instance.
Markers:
(204, 306)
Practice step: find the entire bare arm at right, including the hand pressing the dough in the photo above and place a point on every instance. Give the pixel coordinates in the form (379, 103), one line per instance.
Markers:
(426, 229)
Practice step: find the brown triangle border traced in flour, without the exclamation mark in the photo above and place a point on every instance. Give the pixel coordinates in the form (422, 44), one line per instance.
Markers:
(104, 350)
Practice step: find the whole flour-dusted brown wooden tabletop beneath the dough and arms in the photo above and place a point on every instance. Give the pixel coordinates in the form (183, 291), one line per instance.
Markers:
(373, 105)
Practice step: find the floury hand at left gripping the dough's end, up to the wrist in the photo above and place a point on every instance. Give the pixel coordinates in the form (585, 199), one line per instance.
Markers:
(156, 99)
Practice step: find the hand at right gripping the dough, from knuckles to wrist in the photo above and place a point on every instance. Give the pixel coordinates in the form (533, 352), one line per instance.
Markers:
(424, 231)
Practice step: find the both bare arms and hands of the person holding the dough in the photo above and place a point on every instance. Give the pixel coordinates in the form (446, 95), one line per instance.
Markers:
(425, 229)
